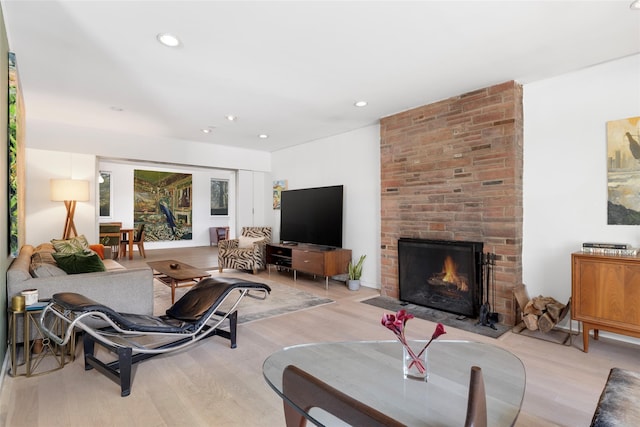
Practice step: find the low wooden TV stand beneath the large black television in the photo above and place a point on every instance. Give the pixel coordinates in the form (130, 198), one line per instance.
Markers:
(313, 259)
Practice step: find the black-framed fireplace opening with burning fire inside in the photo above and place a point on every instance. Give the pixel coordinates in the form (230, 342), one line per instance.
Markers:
(441, 274)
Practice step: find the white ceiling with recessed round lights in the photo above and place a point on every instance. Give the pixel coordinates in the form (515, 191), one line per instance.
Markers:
(291, 69)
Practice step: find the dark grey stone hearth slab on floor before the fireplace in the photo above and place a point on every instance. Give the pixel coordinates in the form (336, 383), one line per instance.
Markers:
(447, 319)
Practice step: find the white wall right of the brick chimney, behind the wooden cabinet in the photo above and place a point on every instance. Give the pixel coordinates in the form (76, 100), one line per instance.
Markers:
(565, 168)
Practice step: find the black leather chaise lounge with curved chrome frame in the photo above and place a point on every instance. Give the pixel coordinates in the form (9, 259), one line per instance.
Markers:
(135, 337)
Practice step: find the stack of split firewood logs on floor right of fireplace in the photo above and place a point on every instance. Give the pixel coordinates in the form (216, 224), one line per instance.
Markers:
(539, 313)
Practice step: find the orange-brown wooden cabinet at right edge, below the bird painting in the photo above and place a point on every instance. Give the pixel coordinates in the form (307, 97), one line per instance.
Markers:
(605, 294)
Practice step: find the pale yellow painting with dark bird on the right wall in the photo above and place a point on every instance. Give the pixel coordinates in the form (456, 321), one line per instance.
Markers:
(623, 171)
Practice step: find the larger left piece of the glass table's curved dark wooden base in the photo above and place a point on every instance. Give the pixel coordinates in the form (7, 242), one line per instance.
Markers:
(306, 392)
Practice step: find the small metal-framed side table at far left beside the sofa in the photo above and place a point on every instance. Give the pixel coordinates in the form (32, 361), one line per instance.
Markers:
(50, 357)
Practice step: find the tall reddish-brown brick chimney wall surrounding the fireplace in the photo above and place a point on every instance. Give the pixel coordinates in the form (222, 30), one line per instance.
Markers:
(453, 170)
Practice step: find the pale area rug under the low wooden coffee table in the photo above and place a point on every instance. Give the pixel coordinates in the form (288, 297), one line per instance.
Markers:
(283, 299)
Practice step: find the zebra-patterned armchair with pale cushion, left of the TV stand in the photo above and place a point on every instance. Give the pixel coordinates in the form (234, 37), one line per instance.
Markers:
(247, 252)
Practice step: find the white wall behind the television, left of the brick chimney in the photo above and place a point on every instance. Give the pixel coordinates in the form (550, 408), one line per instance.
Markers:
(351, 159)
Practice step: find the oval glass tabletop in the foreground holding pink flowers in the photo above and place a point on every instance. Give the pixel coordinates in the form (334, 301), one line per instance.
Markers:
(371, 372)
